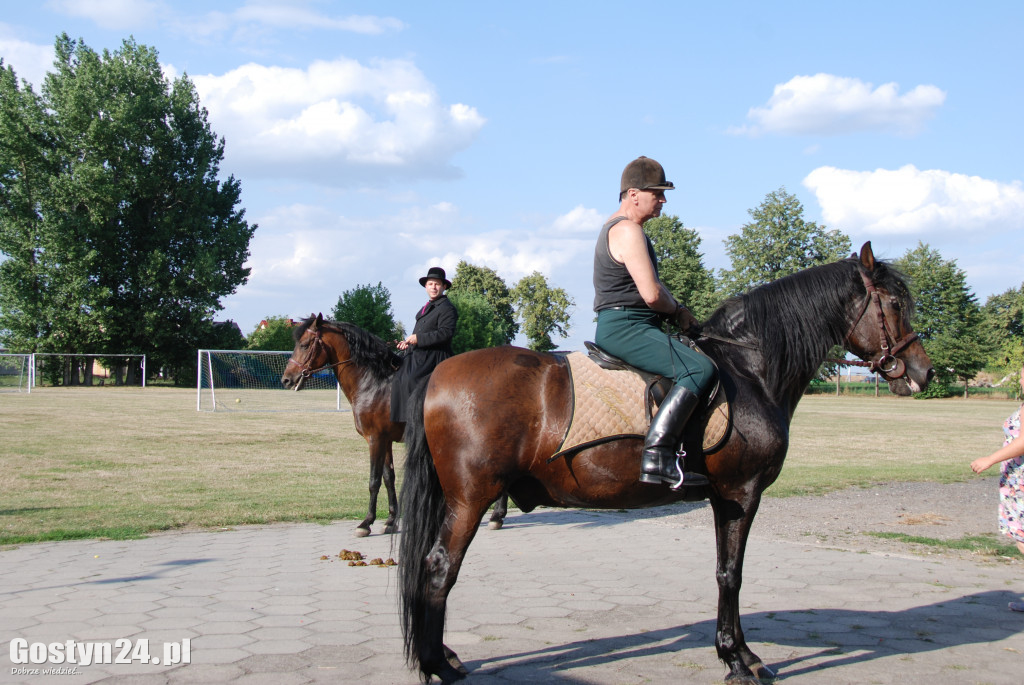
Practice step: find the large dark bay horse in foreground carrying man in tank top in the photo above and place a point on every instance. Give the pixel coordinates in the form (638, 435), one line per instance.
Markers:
(489, 420)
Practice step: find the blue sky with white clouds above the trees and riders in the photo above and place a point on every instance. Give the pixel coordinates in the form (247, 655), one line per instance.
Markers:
(375, 140)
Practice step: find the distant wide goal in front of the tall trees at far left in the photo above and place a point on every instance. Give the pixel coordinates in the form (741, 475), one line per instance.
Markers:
(67, 370)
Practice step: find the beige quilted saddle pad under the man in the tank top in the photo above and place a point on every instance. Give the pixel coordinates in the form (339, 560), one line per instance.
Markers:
(613, 401)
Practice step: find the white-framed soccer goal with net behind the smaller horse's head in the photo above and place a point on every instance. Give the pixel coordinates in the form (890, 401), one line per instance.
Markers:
(250, 381)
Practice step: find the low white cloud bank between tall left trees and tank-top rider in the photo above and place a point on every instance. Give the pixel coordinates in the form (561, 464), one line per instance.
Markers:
(304, 258)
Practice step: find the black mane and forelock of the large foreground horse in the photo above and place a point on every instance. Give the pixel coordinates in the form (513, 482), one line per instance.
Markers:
(796, 320)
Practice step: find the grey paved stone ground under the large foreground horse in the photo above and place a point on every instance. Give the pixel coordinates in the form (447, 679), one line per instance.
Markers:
(557, 596)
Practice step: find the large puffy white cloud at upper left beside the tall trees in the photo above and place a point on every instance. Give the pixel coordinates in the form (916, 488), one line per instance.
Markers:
(338, 122)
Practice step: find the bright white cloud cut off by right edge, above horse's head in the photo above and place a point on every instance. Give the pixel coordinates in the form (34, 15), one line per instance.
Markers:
(913, 202)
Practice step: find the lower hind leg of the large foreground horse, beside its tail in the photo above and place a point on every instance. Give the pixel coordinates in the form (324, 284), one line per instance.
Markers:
(444, 564)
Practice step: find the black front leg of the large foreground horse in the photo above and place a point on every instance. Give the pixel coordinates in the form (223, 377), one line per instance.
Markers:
(733, 523)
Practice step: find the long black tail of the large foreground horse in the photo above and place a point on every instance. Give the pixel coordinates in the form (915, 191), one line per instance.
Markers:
(423, 507)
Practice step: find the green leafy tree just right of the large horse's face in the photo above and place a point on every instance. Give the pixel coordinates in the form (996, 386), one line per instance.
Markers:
(948, 318)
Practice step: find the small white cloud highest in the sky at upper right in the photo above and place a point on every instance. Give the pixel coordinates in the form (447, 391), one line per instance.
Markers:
(828, 105)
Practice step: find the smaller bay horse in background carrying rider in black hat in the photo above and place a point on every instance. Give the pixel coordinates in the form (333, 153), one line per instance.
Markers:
(365, 367)
